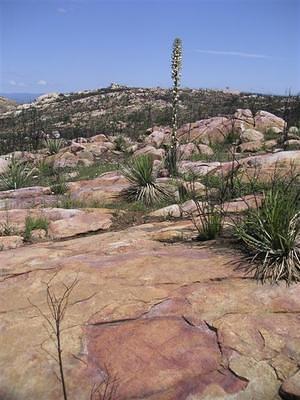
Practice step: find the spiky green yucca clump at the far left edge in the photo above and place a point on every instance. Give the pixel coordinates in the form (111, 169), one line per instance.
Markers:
(16, 176)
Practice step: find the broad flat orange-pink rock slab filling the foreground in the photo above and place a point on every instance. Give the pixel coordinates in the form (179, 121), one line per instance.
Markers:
(168, 321)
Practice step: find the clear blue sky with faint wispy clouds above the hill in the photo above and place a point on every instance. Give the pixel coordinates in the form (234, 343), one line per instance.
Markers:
(70, 45)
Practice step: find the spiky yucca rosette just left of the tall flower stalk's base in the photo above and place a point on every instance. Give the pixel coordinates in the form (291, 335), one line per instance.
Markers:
(143, 186)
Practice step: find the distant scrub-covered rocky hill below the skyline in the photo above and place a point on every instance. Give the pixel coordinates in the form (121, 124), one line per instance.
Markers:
(131, 111)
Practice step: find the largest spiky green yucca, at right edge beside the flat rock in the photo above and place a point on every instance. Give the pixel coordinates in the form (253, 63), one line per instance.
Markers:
(271, 236)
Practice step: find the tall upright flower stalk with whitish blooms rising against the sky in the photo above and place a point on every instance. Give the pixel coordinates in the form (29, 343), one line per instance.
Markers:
(176, 74)
